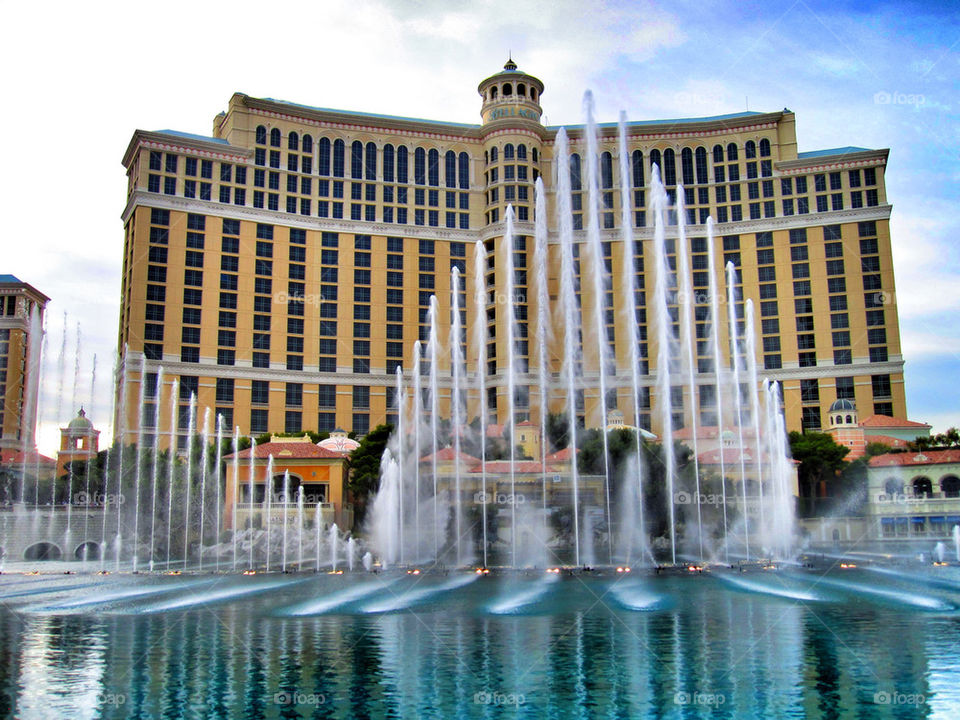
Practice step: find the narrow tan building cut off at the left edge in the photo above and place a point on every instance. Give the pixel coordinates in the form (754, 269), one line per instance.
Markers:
(21, 334)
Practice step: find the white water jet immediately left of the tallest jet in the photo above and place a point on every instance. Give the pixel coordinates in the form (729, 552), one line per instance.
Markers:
(569, 321)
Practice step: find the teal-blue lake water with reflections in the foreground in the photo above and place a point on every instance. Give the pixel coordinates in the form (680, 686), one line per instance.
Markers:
(754, 645)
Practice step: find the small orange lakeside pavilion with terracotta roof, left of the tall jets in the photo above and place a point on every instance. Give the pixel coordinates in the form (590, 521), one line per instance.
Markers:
(316, 473)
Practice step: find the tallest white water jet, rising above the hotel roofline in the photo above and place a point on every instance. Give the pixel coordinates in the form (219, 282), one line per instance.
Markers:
(598, 275)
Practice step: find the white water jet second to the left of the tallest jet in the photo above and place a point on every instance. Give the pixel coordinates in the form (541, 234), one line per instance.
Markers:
(544, 336)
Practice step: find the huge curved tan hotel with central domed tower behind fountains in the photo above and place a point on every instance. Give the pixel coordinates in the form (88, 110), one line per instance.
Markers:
(282, 268)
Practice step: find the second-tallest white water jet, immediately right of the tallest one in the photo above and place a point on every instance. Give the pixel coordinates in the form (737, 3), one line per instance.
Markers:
(629, 310)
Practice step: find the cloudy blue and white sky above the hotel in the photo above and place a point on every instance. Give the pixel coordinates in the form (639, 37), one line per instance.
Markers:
(79, 80)
